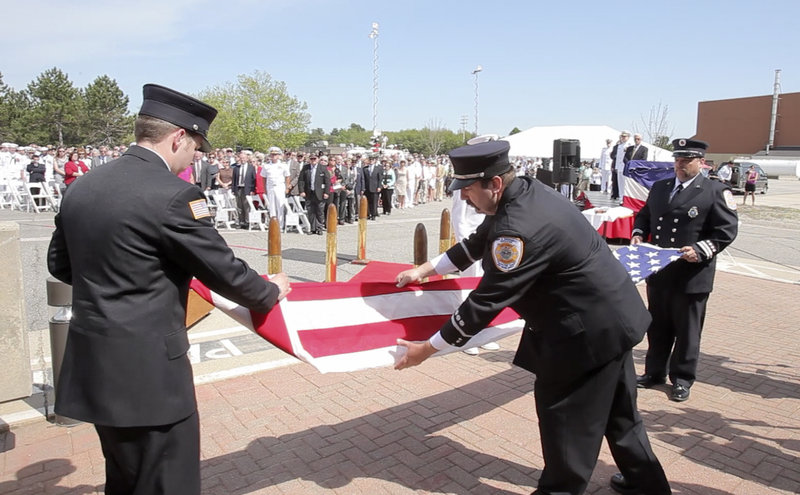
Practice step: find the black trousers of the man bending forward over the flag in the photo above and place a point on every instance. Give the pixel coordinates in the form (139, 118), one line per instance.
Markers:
(574, 418)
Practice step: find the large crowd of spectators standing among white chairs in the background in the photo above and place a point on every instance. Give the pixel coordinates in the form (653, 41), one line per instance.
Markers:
(390, 180)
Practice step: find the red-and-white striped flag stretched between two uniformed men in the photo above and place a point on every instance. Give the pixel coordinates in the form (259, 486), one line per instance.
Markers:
(349, 326)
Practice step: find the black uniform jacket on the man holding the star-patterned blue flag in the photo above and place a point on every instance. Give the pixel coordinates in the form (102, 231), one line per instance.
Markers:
(699, 217)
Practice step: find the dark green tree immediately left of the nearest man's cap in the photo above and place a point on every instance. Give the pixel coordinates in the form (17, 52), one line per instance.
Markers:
(107, 119)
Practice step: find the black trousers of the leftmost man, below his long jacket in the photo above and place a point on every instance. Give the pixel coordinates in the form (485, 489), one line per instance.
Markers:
(152, 460)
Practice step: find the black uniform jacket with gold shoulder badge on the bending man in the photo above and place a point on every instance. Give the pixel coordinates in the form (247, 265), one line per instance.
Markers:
(580, 306)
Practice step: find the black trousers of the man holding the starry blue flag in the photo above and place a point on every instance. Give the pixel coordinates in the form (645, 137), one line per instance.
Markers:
(674, 334)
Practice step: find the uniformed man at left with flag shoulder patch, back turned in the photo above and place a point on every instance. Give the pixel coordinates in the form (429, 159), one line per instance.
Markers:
(129, 238)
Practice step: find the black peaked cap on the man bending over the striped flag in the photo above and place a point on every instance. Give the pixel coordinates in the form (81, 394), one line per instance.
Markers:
(478, 161)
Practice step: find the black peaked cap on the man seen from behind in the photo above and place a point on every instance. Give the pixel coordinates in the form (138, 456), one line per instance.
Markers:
(179, 109)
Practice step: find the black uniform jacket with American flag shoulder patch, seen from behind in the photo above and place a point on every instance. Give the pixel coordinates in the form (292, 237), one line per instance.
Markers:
(129, 237)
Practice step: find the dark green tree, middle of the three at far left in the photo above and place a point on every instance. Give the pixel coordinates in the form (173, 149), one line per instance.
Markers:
(56, 109)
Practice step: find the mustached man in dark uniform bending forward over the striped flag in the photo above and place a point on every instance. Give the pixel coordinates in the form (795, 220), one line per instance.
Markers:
(583, 316)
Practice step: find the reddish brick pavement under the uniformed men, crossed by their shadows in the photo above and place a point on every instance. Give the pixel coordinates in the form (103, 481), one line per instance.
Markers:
(467, 425)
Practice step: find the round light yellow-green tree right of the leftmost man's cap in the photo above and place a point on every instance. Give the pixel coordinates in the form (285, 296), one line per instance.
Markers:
(257, 112)
